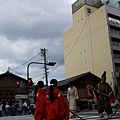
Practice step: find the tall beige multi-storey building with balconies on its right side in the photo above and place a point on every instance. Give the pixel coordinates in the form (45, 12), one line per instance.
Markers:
(93, 42)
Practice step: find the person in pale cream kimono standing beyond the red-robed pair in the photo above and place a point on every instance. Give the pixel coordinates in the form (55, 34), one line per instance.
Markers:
(72, 96)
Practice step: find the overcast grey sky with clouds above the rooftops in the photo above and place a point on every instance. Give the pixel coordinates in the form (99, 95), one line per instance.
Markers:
(26, 26)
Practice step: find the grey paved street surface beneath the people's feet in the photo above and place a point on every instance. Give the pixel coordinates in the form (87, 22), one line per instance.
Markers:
(86, 115)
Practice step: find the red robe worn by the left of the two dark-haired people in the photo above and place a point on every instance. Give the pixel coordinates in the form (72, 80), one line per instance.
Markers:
(40, 108)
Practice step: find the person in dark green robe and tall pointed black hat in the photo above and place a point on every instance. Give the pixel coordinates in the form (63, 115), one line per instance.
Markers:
(104, 100)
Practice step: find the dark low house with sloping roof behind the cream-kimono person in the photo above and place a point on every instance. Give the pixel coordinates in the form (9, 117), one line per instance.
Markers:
(80, 82)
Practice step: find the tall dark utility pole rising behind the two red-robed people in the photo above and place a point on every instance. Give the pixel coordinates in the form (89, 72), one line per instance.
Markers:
(43, 51)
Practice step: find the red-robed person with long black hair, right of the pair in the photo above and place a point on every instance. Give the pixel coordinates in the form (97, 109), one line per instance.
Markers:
(57, 106)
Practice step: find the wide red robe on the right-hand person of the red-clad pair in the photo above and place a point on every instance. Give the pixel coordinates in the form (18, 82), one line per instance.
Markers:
(57, 110)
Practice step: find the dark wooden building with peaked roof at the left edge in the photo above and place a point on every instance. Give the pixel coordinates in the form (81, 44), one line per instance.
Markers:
(13, 88)
